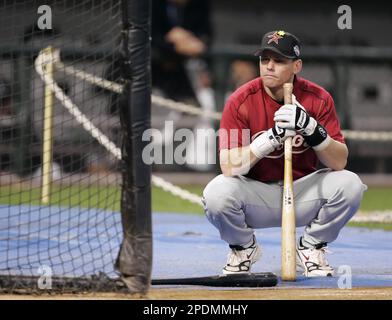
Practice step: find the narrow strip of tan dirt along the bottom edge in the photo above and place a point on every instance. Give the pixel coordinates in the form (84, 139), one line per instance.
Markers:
(235, 294)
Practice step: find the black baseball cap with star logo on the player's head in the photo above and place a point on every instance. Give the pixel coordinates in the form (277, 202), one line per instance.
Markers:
(281, 42)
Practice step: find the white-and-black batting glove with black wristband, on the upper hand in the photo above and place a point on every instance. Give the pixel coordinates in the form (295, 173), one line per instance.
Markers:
(294, 117)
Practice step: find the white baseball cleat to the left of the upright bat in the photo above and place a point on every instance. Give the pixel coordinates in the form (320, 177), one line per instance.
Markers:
(240, 259)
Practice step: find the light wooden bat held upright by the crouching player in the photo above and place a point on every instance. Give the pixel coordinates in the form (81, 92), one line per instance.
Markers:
(288, 212)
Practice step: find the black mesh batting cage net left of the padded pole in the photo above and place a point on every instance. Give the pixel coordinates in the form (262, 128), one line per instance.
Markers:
(60, 180)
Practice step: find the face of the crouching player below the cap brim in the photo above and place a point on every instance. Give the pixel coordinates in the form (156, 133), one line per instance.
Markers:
(275, 70)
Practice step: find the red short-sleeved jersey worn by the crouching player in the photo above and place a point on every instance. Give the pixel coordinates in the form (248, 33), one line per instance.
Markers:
(250, 108)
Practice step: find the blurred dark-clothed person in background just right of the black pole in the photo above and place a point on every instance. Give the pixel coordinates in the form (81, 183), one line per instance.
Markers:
(181, 35)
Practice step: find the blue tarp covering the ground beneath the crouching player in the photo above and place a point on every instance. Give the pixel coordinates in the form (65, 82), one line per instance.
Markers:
(79, 242)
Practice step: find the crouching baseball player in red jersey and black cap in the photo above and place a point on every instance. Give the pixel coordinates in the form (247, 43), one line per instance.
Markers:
(248, 195)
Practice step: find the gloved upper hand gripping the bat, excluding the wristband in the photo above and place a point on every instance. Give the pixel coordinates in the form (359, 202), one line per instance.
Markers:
(294, 117)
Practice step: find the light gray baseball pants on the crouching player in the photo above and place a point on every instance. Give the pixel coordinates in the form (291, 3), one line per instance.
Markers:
(324, 202)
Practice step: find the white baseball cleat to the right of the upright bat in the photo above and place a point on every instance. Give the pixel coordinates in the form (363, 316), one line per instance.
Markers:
(312, 260)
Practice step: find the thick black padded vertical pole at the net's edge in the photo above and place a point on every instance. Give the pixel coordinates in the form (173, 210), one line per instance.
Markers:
(135, 257)
